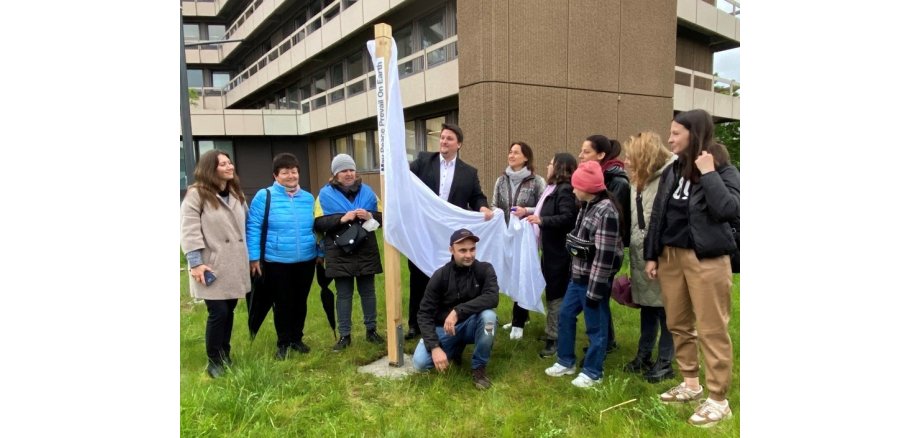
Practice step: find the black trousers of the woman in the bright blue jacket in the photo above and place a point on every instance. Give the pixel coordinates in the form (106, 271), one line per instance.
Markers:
(289, 284)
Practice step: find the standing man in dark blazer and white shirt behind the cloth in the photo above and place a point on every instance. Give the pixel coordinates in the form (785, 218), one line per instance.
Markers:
(454, 181)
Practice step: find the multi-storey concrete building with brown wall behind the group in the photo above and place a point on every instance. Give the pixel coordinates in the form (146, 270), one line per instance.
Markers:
(546, 72)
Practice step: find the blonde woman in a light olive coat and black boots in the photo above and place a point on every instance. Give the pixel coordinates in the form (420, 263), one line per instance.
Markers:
(646, 158)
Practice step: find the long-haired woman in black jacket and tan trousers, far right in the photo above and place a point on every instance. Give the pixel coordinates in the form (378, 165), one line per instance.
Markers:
(687, 249)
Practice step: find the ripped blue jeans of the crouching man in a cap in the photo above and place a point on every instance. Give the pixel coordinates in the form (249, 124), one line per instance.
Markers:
(470, 331)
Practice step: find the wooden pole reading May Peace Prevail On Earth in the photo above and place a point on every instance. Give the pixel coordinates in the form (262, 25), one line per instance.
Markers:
(391, 267)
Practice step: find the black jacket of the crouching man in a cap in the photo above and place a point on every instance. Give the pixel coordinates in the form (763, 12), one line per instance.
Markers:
(452, 287)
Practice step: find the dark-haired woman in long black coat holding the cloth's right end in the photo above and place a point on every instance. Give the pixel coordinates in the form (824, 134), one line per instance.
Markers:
(554, 217)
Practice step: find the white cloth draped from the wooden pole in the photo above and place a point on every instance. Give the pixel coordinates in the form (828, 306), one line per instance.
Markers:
(419, 223)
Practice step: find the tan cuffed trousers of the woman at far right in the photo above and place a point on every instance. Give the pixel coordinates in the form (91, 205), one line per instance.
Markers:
(697, 300)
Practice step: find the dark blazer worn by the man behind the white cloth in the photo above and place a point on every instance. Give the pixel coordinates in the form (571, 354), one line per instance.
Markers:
(465, 191)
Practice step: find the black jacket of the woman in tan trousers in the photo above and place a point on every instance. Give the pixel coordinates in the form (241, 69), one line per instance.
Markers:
(715, 201)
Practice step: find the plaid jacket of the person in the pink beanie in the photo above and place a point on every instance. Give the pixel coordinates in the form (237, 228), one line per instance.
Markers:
(598, 223)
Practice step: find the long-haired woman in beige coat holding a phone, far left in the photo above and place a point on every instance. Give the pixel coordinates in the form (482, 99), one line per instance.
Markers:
(214, 242)
